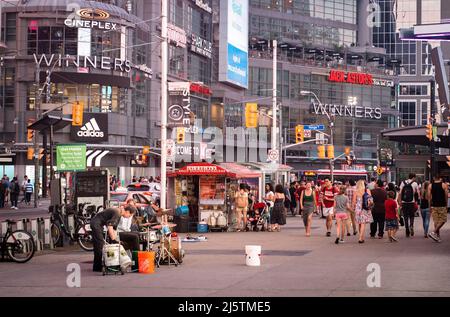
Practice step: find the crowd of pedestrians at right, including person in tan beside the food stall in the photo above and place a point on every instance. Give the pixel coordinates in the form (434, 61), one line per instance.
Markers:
(355, 206)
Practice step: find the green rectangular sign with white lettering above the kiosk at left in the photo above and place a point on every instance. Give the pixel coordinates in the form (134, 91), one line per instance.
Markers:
(70, 157)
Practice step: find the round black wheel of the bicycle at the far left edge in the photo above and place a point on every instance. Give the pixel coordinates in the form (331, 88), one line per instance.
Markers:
(20, 246)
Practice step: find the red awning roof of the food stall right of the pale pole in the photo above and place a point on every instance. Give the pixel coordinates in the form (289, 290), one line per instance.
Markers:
(232, 170)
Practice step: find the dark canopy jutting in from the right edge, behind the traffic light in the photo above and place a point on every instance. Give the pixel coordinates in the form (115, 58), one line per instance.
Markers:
(417, 135)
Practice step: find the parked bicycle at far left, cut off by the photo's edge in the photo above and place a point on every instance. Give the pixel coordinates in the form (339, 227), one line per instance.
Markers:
(18, 244)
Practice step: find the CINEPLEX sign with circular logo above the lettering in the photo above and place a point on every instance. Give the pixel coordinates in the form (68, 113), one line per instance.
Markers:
(91, 19)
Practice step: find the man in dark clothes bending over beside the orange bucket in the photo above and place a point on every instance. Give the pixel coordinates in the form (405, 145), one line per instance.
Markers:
(110, 218)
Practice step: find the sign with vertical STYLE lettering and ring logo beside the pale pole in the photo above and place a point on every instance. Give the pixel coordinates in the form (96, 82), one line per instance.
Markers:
(179, 112)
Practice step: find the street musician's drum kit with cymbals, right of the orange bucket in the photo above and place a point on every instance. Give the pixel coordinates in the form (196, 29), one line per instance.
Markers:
(170, 250)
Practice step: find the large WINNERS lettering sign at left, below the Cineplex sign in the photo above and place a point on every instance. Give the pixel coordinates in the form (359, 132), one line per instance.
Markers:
(104, 62)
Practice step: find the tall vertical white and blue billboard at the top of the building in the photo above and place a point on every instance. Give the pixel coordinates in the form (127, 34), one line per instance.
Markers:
(233, 55)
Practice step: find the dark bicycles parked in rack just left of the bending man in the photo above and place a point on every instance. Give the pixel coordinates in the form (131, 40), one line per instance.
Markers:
(82, 233)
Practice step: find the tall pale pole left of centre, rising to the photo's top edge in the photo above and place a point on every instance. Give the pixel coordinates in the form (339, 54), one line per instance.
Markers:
(164, 44)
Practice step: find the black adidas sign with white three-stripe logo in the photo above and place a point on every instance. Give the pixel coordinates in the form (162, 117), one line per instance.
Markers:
(93, 130)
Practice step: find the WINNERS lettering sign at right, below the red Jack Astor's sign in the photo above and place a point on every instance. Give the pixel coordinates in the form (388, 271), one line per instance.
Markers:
(348, 111)
